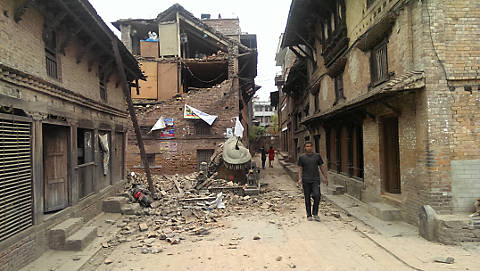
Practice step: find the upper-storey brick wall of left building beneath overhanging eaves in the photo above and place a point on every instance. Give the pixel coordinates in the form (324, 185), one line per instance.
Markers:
(22, 48)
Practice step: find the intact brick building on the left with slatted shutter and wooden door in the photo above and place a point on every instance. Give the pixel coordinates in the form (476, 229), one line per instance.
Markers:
(63, 120)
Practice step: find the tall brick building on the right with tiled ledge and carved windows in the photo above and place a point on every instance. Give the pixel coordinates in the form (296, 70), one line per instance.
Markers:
(388, 92)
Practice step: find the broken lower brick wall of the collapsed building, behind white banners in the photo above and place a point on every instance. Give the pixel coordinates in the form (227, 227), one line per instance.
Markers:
(179, 155)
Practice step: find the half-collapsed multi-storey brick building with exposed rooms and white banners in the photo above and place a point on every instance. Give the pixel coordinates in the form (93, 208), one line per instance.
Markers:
(204, 64)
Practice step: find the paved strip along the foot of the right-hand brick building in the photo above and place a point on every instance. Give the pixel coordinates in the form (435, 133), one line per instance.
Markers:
(398, 238)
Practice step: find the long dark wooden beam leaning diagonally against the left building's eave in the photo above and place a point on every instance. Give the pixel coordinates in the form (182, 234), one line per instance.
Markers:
(131, 110)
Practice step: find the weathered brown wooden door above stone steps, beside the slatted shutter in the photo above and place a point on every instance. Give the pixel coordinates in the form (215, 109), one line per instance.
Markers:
(55, 153)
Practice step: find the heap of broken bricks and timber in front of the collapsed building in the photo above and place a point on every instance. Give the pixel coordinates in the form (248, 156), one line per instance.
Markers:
(177, 210)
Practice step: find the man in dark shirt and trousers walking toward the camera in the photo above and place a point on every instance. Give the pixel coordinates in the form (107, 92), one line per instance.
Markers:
(309, 179)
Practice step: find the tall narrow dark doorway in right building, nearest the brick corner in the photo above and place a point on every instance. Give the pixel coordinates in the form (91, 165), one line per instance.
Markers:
(391, 157)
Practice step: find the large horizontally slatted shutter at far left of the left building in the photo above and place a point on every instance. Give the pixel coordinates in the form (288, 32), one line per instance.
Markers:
(16, 213)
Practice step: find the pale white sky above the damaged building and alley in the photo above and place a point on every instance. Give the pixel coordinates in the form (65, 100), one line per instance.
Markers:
(265, 18)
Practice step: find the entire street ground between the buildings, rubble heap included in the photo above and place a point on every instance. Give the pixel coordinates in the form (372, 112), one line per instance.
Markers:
(184, 230)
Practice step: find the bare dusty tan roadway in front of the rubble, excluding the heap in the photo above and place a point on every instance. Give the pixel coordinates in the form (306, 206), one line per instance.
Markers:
(275, 238)
